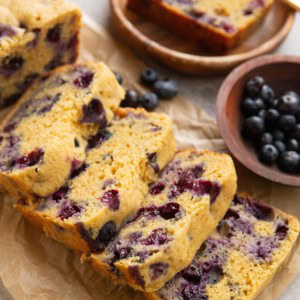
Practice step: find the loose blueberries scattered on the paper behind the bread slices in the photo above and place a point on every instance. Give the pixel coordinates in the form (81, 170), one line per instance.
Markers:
(162, 89)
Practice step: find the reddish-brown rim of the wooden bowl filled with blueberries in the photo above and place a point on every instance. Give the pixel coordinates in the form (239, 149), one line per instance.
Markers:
(254, 164)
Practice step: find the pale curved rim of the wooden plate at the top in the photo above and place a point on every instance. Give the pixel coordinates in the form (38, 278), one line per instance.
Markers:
(223, 61)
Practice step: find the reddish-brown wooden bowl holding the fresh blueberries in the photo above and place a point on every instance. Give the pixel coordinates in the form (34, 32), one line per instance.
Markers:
(282, 73)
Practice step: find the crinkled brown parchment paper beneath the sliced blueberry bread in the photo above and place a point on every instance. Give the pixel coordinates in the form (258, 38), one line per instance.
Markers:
(35, 267)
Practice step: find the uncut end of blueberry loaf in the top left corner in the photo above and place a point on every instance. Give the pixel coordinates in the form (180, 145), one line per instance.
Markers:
(35, 37)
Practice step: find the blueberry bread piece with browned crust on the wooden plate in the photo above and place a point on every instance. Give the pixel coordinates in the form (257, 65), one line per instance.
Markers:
(217, 25)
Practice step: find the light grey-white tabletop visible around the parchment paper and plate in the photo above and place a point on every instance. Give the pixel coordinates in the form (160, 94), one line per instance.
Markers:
(201, 91)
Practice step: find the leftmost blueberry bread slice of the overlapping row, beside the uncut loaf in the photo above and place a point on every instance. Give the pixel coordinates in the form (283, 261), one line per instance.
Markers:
(47, 133)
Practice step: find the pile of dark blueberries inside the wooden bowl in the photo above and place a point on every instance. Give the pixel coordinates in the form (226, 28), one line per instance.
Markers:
(273, 124)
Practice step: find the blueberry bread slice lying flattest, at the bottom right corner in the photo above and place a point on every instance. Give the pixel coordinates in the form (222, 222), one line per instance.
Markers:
(239, 259)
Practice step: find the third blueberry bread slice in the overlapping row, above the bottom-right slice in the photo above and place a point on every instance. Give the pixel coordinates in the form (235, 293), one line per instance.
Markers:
(182, 208)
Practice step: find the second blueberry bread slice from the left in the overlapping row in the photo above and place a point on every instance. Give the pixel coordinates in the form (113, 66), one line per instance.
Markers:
(109, 185)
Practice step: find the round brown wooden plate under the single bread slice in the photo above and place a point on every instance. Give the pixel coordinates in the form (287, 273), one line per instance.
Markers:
(147, 38)
